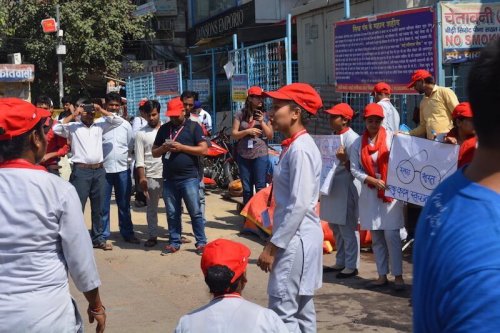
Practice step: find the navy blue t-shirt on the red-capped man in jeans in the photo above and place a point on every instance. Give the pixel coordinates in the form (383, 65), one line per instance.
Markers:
(180, 166)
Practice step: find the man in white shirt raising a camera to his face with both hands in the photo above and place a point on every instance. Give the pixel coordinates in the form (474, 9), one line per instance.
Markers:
(88, 175)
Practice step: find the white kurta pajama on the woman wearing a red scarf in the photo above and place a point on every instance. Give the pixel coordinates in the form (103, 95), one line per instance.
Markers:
(382, 219)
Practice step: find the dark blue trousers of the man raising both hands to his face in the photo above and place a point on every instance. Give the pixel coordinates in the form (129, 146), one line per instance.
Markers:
(90, 184)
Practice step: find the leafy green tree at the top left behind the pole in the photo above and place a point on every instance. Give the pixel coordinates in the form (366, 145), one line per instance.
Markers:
(94, 33)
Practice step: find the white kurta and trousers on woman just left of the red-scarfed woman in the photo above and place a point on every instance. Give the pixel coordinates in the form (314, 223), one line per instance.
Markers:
(340, 209)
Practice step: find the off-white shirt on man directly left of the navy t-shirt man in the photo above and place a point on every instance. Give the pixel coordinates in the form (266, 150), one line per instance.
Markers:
(153, 167)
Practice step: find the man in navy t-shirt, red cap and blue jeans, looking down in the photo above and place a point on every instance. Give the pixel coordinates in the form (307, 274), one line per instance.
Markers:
(180, 142)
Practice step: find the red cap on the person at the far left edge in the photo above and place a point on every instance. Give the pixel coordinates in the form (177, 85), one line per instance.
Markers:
(18, 117)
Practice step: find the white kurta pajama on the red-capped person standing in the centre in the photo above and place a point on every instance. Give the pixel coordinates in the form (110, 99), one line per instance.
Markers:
(297, 269)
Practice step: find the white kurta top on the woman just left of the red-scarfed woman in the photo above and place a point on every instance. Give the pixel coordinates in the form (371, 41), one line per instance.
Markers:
(344, 188)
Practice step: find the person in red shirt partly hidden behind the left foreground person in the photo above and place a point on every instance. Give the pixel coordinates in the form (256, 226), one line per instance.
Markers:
(57, 146)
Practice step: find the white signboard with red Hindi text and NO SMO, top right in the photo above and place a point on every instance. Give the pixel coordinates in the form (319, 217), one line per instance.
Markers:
(466, 28)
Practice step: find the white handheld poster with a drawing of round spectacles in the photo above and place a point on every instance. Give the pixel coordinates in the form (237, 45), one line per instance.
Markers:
(417, 166)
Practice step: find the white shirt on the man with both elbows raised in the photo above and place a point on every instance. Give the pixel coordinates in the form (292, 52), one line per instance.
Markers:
(86, 142)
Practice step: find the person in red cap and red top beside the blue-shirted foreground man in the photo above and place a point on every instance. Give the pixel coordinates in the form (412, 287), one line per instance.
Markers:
(463, 133)
